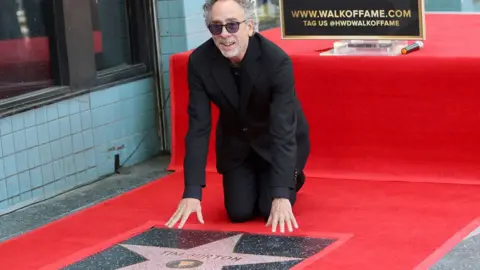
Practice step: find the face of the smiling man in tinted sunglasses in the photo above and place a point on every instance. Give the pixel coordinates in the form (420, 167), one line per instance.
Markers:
(233, 45)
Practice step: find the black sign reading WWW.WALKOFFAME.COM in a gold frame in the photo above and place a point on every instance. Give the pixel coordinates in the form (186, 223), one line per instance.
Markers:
(353, 19)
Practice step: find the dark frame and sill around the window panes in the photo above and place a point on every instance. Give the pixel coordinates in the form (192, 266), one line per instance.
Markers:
(73, 57)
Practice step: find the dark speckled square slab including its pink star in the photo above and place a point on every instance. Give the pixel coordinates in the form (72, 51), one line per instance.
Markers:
(161, 248)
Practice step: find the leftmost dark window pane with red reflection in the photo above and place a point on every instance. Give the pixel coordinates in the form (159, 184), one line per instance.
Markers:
(26, 35)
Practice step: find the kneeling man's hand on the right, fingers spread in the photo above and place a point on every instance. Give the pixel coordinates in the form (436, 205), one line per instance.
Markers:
(280, 214)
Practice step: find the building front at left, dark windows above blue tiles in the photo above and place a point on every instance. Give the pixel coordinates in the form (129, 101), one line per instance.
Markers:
(78, 94)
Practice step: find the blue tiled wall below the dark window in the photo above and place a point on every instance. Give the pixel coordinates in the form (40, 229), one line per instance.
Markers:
(51, 149)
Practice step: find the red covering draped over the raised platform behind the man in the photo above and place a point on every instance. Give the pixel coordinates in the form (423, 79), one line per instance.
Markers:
(413, 117)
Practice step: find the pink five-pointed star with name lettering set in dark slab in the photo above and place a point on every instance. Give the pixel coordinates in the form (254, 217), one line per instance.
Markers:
(210, 256)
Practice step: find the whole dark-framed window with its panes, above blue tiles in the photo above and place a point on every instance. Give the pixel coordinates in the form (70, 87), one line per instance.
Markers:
(56, 49)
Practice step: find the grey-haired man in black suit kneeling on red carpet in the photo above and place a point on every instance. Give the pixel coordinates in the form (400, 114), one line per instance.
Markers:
(262, 140)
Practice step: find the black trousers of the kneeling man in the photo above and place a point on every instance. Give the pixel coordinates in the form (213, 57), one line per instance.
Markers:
(247, 190)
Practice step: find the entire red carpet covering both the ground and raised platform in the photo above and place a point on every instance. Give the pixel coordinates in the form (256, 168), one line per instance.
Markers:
(412, 118)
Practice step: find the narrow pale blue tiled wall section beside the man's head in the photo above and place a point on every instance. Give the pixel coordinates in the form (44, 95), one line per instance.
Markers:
(182, 27)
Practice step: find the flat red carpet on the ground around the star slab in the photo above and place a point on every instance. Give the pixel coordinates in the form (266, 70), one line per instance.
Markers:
(392, 225)
